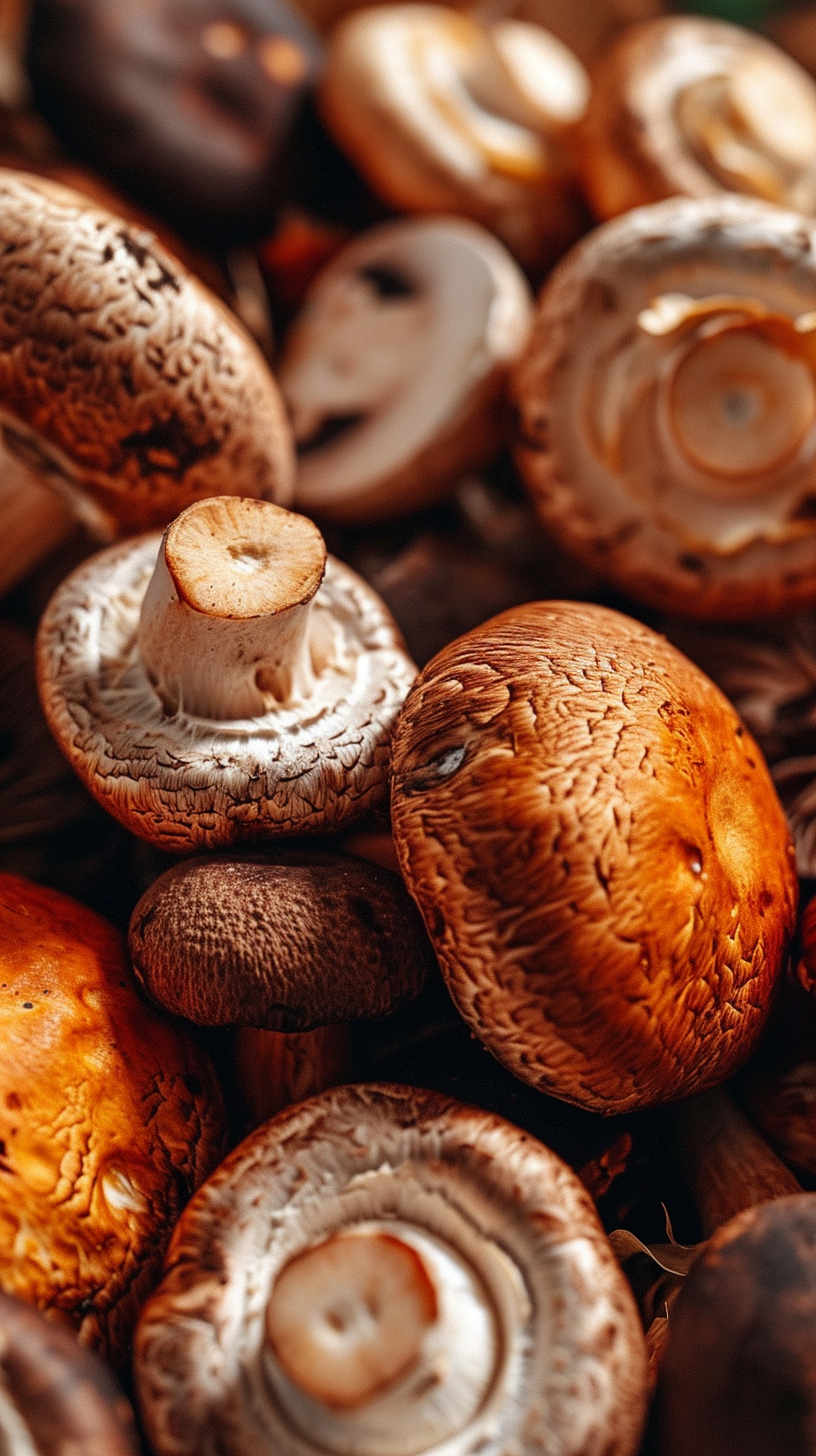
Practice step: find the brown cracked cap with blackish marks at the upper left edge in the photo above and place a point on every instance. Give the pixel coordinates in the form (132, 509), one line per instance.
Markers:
(123, 382)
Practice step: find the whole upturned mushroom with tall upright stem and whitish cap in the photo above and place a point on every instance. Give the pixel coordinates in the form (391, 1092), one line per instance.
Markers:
(212, 687)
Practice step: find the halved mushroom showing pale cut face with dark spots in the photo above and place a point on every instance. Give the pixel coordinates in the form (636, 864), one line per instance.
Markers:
(396, 371)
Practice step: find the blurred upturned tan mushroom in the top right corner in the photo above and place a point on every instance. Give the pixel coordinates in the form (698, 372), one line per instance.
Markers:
(696, 107)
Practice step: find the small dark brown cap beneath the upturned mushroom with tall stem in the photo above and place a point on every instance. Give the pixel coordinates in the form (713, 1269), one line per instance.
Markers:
(289, 946)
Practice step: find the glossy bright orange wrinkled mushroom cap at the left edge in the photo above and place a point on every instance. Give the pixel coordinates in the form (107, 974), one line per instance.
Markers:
(110, 1117)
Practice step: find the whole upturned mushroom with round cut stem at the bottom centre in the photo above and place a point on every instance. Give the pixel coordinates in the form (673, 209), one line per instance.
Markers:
(464, 1246)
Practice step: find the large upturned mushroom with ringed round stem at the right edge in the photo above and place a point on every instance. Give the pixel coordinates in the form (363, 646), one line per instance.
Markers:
(668, 407)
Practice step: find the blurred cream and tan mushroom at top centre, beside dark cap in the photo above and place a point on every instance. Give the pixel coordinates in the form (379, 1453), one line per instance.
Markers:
(447, 114)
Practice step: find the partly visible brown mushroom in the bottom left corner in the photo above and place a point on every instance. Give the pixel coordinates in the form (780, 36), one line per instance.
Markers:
(55, 1391)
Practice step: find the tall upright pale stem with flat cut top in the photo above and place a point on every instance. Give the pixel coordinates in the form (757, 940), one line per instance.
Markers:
(225, 630)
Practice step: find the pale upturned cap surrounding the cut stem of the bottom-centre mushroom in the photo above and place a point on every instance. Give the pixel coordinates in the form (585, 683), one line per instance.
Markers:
(455, 1184)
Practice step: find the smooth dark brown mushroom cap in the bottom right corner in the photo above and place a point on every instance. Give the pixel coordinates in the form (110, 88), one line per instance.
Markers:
(739, 1375)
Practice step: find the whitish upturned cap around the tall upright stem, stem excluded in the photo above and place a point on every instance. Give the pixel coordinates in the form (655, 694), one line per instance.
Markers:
(187, 783)
